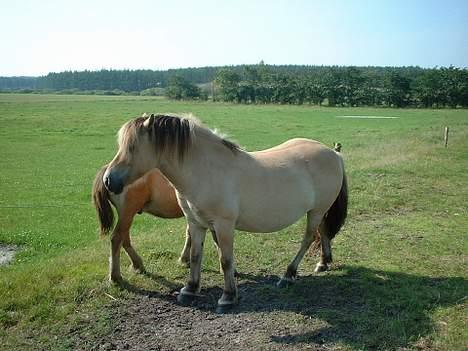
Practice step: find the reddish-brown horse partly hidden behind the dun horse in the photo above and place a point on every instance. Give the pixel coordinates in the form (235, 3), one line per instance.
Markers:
(152, 193)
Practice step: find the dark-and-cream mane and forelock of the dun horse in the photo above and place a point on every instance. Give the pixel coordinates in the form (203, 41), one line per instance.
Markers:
(169, 133)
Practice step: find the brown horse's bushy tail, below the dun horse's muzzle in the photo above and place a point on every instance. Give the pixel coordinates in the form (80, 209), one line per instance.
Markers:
(101, 201)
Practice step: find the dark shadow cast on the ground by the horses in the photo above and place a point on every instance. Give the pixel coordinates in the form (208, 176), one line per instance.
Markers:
(361, 307)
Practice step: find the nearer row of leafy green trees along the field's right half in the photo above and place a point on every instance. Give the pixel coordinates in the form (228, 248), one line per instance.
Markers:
(346, 86)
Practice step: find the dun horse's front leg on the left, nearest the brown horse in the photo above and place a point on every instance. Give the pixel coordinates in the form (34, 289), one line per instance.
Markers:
(192, 288)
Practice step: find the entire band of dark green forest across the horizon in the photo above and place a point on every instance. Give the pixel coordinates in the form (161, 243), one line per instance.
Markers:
(261, 83)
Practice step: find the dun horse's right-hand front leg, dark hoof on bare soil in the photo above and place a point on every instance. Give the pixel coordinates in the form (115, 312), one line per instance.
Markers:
(225, 240)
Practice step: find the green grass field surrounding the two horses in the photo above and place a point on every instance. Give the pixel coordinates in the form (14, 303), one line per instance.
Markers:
(400, 278)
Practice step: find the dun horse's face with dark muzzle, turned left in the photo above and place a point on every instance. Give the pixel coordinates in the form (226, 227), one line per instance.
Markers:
(136, 156)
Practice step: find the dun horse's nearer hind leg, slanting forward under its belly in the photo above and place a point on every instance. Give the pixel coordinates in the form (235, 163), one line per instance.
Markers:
(313, 221)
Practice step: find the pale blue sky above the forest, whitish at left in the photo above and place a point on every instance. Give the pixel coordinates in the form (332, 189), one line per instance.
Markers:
(37, 37)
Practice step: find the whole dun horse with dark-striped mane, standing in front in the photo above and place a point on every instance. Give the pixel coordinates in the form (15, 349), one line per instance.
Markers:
(221, 187)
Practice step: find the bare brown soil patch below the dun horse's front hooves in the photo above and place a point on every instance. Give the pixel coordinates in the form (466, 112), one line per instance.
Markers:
(262, 321)
